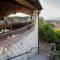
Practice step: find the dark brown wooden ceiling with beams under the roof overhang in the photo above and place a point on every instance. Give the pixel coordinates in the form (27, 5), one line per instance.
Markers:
(12, 6)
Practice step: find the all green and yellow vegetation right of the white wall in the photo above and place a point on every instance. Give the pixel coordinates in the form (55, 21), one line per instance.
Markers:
(48, 34)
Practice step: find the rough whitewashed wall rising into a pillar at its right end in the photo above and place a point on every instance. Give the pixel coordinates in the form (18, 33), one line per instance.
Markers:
(21, 43)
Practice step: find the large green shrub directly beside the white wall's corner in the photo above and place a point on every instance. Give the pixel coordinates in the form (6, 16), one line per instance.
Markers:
(46, 32)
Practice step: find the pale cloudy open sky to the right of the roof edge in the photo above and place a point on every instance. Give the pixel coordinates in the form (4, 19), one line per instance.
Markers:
(51, 8)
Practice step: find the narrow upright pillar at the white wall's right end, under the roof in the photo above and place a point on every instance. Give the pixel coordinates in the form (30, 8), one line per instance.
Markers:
(35, 19)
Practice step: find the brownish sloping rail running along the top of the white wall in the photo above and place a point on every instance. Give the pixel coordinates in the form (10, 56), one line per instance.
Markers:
(16, 31)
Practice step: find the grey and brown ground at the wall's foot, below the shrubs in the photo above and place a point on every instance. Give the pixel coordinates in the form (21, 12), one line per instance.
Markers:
(44, 52)
